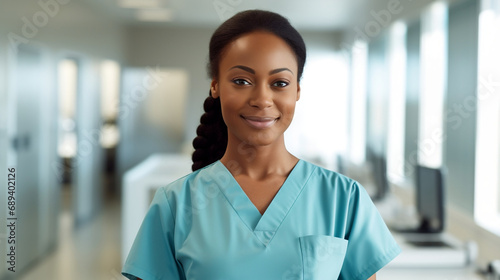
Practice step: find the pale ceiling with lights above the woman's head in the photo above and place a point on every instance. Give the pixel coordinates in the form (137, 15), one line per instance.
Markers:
(312, 14)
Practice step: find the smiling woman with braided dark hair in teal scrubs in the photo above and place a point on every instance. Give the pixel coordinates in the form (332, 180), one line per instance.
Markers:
(250, 209)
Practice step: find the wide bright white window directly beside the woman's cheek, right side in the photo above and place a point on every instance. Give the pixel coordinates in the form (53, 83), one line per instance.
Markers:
(319, 128)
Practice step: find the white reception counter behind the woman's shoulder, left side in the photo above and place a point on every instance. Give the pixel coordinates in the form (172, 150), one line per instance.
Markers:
(139, 186)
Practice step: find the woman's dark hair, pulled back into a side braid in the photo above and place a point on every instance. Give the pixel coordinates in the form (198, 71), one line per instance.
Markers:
(211, 140)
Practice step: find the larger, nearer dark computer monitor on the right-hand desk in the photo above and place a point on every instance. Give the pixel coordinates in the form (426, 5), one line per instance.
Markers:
(430, 199)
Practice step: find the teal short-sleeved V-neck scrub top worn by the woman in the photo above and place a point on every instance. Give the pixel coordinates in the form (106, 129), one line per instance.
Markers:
(320, 225)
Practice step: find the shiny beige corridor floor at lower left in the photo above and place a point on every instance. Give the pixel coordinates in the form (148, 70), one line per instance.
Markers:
(89, 252)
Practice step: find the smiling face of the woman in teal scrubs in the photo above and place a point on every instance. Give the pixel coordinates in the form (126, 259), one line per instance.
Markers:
(257, 87)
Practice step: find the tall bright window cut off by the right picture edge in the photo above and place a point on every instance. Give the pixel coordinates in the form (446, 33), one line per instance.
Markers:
(487, 183)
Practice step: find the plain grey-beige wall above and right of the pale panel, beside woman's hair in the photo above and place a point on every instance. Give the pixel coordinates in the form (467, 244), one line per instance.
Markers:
(182, 48)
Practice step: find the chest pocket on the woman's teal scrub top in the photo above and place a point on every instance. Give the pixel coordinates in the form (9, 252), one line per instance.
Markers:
(322, 256)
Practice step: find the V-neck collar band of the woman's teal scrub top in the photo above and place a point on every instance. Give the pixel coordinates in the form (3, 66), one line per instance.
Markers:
(264, 226)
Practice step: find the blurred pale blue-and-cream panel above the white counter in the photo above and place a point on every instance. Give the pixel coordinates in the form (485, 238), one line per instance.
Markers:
(152, 119)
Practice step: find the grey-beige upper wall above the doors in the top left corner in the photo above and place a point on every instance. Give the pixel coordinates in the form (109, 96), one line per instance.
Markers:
(74, 26)
